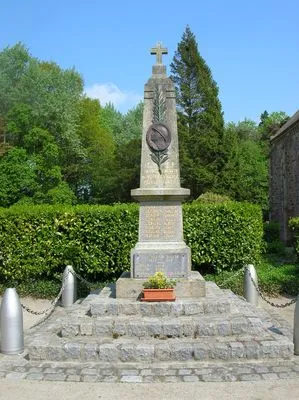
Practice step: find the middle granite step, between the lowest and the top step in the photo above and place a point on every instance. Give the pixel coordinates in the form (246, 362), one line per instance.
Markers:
(163, 327)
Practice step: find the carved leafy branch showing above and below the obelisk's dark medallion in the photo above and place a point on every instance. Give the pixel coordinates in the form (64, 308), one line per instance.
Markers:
(159, 115)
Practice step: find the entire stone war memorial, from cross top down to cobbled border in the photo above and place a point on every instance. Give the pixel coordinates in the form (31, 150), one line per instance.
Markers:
(207, 334)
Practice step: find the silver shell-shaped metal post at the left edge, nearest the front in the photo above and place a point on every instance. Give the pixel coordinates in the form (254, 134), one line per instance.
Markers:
(11, 322)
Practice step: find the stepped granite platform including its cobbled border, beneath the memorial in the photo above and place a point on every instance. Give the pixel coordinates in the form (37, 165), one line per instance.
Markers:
(102, 338)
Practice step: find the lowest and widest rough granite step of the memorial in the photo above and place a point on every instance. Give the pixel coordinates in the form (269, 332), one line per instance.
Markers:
(153, 350)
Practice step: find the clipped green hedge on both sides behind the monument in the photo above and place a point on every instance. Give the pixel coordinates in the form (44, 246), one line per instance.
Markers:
(37, 242)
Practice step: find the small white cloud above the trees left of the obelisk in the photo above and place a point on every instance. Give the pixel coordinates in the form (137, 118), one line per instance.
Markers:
(110, 93)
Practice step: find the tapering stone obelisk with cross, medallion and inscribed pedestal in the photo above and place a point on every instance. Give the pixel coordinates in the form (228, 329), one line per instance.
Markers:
(160, 246)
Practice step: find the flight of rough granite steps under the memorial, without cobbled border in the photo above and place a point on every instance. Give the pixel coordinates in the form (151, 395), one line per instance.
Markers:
(101, 329)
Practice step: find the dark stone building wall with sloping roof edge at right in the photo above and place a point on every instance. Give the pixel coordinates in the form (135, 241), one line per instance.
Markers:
(284, 175)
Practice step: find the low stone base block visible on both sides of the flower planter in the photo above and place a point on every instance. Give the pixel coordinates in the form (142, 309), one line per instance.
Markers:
(131, 288)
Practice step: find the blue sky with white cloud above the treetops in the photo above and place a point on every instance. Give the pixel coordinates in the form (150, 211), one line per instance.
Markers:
(251, 46)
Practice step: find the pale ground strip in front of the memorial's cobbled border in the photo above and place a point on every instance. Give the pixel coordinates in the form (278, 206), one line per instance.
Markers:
(270, 390)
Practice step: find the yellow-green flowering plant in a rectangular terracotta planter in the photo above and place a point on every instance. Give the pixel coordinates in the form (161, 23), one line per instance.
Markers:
(158, 288)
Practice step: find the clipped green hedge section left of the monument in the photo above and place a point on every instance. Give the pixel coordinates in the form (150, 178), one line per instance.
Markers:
(39, 241)
